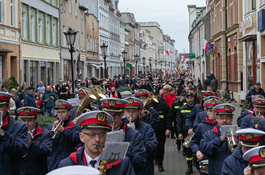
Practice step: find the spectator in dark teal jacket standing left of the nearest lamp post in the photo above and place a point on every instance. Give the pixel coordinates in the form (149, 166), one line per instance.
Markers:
(49, 98)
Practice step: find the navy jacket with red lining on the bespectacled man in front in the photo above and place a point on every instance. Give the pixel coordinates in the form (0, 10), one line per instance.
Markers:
(76, 158)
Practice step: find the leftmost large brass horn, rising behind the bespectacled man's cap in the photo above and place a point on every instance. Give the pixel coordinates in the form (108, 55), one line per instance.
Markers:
(86, 101)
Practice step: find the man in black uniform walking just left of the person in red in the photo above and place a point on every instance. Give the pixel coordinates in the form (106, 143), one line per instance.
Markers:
(163, 129)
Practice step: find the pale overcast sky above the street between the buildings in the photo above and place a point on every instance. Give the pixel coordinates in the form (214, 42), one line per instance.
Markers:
(172, 15)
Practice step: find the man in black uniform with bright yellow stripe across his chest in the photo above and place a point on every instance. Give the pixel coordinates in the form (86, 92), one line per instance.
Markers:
(182, 130)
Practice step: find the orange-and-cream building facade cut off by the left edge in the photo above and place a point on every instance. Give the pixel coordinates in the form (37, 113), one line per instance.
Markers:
(10, 46)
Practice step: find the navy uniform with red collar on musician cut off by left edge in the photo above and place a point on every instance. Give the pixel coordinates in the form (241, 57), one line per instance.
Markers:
(13, 146)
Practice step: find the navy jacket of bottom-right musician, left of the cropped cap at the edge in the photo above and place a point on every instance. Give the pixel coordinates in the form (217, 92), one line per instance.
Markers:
(234, 164)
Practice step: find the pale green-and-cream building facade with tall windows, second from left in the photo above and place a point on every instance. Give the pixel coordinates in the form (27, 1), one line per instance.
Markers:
(40, 46)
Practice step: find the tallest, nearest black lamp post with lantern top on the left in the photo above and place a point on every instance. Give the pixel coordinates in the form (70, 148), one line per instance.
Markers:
(70, 38)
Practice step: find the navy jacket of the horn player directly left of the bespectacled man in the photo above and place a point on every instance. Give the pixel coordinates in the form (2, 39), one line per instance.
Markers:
(64, 143)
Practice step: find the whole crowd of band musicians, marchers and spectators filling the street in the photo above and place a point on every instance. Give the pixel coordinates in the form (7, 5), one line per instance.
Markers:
(159, 107)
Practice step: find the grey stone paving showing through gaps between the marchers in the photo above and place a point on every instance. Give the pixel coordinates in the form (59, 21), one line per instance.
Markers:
(174, 162)
